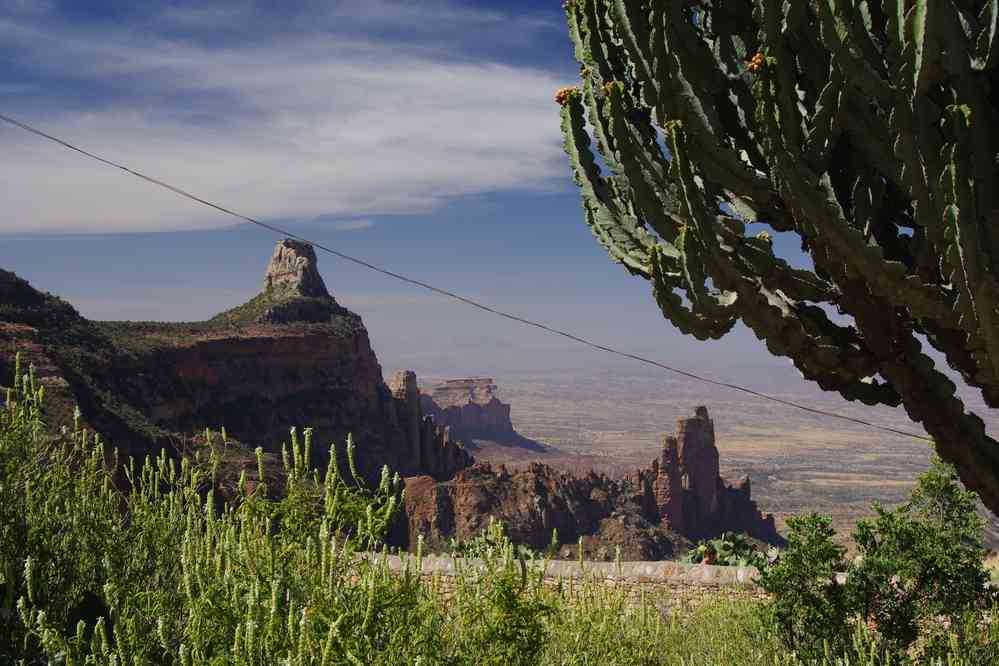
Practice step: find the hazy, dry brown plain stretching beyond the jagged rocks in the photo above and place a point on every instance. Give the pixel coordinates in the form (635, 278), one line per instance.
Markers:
(613, 421)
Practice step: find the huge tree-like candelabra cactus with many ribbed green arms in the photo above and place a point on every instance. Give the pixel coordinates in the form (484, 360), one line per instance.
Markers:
(863, 128)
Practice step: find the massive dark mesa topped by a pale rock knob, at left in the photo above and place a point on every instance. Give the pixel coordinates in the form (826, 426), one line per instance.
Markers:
(291, 356)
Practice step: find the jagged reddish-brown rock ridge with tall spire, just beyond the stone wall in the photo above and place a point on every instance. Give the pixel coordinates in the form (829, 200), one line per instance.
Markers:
(649, 515)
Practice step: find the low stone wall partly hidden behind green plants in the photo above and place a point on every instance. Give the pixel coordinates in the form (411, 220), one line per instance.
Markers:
(666, 583)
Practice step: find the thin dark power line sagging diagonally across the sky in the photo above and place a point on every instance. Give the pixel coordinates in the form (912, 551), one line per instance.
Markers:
(506, 315)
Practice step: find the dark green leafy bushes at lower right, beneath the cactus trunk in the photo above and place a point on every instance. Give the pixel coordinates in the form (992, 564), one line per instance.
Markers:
(919, 566)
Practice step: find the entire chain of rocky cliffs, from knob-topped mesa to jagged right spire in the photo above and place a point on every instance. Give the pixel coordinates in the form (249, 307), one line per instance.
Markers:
(292, 356)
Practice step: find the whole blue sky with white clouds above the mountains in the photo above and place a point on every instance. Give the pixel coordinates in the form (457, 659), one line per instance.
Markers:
(421, 136)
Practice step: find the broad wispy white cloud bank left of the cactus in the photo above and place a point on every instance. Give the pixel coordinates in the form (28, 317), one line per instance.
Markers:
(294, 127)
